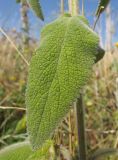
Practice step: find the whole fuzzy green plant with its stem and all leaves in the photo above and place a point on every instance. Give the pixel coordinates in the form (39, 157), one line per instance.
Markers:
(58, 71)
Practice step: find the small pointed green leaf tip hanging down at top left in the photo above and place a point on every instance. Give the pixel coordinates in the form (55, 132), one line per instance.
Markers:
(36, 7)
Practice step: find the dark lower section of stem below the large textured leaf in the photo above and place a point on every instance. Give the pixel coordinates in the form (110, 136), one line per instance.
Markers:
(80, 123)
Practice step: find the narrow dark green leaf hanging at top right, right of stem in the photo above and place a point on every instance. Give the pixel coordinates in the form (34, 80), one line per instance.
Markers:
(102, 6)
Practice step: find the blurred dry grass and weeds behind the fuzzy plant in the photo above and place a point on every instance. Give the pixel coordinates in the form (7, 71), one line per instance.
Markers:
(100, 93)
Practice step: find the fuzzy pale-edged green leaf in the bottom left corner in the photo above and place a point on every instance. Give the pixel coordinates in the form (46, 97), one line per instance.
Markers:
(18, 151)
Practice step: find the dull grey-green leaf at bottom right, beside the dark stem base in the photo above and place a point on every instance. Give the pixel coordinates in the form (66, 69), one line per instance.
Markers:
(103, 153)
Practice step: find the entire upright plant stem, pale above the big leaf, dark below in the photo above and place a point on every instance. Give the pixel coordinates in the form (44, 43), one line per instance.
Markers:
(79, 106)
